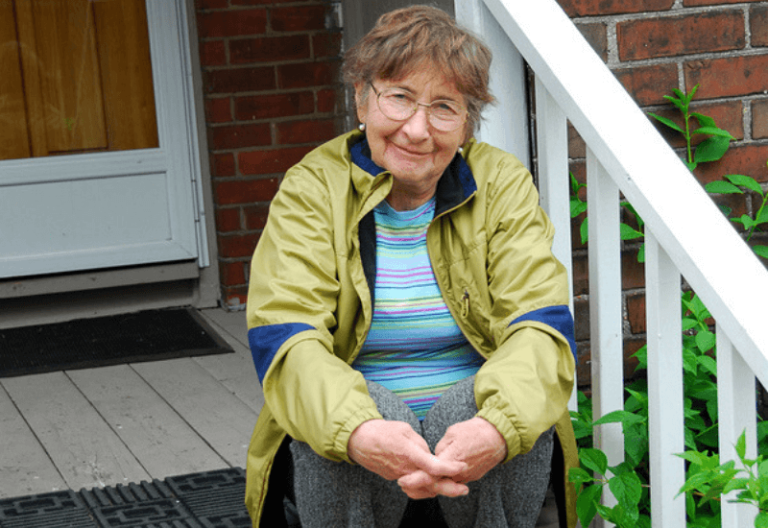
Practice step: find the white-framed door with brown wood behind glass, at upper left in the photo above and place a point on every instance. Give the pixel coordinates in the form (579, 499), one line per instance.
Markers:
(97, 142)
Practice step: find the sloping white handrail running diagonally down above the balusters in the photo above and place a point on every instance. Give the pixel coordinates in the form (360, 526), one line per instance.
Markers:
(728, 276)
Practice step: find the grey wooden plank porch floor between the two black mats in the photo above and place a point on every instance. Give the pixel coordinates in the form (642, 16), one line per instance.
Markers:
(116, 425)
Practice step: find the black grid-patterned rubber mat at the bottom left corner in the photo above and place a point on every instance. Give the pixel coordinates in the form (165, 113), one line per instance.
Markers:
(213, 499)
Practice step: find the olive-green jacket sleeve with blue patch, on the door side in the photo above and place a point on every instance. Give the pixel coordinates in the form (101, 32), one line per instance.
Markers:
(315, 396)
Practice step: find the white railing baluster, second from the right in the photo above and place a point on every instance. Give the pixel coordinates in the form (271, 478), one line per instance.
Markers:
(665, 385)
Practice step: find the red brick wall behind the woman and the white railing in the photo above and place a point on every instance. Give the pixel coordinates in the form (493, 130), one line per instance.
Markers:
(270, 73)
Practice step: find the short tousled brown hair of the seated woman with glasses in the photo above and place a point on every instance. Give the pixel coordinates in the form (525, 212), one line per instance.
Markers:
(407, 39)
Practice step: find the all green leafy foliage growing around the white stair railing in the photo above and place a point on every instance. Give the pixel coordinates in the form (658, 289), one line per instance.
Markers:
(706, 477)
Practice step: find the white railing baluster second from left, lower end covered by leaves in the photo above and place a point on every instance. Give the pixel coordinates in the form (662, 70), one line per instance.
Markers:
(605, 309)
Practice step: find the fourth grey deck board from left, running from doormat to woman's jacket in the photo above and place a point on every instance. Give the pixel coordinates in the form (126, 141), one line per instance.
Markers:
(210, 408)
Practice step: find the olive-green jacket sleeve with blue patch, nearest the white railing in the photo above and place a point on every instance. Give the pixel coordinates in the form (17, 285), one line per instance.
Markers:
(524, 387)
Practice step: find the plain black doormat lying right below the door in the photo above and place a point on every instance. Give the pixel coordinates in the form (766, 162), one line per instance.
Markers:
(150, 335)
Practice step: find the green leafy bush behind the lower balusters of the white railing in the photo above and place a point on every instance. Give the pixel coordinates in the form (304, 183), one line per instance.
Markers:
(700, 407)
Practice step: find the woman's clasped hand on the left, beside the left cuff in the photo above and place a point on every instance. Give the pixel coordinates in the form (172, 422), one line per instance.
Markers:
(393, 449)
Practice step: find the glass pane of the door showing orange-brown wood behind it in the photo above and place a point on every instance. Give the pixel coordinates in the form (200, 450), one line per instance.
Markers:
(77, 78)
